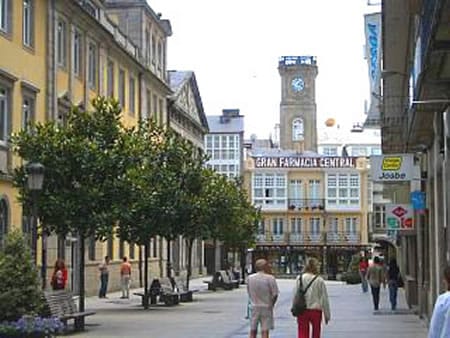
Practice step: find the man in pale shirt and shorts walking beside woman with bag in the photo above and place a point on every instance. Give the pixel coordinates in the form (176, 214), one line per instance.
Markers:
(263, 292)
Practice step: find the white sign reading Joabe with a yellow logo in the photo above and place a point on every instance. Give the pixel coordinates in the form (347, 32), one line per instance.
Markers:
(392, 167)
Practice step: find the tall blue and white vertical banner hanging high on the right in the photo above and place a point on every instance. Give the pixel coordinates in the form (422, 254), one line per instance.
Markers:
(372, 29)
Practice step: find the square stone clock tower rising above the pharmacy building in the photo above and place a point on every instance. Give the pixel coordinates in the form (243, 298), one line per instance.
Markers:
(298, 114)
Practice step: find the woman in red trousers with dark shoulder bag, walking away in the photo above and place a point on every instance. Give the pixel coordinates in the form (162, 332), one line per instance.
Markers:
(317, 302)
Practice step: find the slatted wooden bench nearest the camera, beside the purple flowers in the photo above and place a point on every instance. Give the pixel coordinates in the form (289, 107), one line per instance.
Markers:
(62, 305)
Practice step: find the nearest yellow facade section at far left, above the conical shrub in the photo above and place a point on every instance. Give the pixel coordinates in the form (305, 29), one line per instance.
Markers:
(23, 88)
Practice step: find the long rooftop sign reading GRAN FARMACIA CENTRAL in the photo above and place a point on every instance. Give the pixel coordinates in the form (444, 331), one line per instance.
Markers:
(305, 162)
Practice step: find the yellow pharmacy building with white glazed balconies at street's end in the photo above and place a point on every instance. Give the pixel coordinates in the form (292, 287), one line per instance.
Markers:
(311, 205)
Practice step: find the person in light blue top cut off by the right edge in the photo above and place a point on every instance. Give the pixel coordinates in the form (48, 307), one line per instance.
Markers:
(440, 319)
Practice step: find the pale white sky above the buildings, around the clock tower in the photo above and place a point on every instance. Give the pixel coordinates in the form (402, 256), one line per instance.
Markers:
(233, 48)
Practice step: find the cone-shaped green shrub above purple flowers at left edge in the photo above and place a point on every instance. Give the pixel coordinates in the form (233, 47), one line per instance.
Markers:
(19, 286)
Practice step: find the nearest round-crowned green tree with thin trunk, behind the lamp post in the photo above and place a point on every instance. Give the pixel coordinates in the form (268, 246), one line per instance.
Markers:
(83, 159)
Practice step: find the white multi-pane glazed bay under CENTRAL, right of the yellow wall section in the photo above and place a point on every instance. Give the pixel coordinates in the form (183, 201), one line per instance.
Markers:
(343, 190)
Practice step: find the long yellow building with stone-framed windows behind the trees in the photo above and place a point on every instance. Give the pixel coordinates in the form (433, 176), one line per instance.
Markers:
(64, 53)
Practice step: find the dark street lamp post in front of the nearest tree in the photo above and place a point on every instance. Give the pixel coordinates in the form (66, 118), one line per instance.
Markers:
(35, 180)
